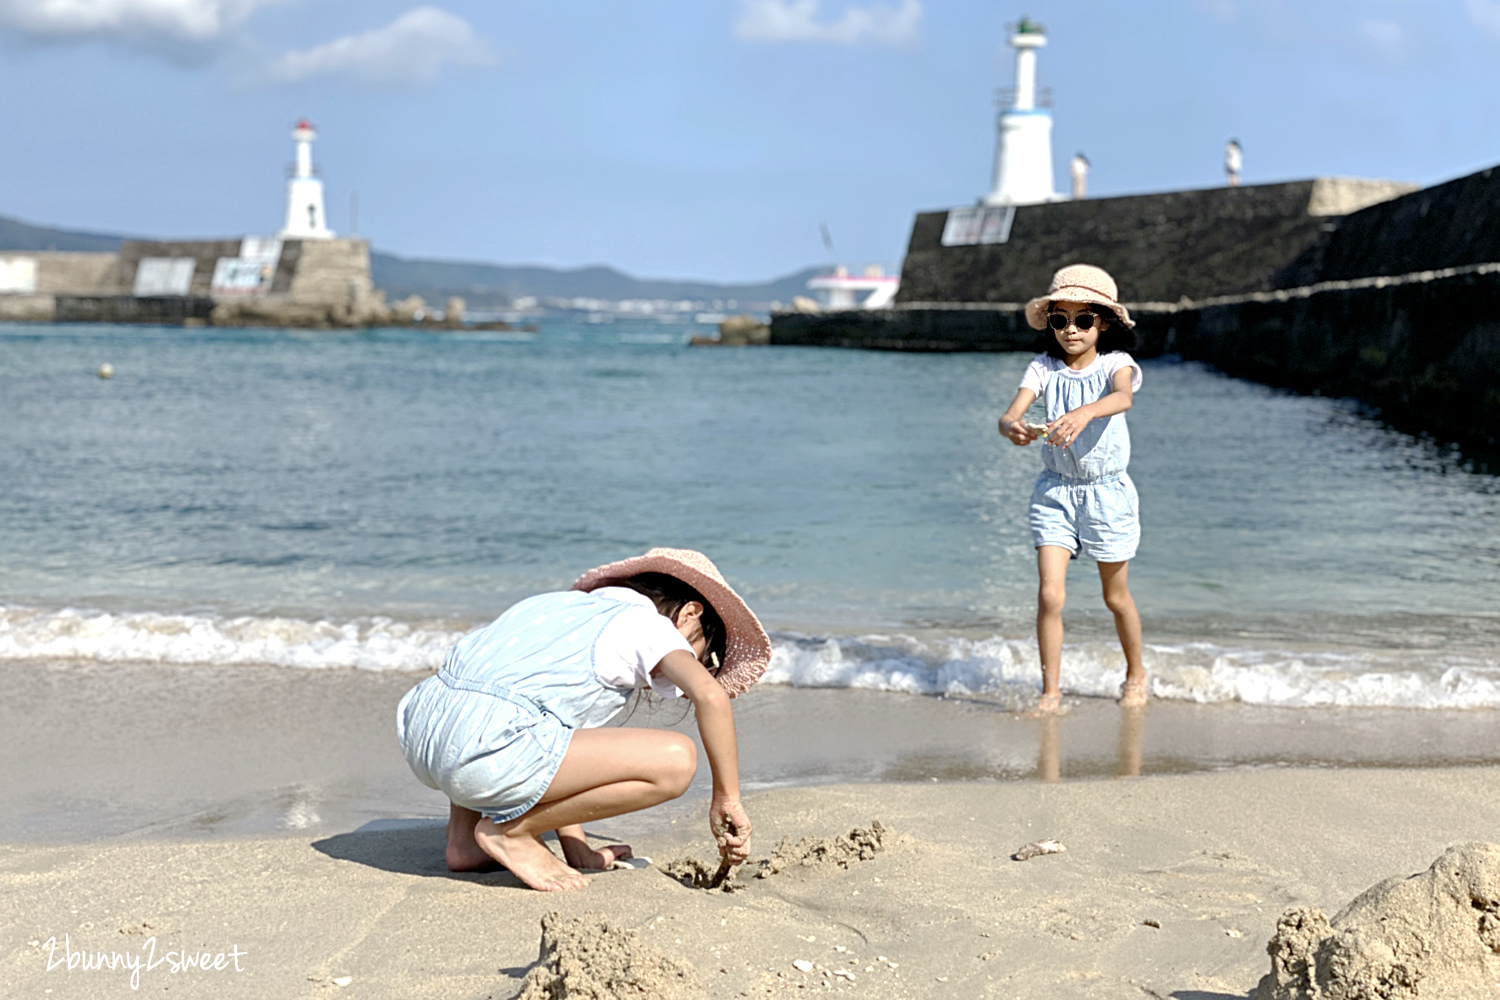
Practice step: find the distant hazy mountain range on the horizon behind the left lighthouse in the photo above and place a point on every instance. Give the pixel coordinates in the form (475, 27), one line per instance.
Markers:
(481, 284)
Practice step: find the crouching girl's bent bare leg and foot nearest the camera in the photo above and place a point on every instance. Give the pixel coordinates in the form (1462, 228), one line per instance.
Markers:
(607, 773)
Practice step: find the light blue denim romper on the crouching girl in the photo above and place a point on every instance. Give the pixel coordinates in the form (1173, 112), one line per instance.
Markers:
(491, 728)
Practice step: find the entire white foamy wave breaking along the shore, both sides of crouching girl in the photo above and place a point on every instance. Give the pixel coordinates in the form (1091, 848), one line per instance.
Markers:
(1007, 668)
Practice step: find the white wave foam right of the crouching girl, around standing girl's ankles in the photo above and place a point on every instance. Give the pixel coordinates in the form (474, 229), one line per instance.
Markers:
(1190, 672)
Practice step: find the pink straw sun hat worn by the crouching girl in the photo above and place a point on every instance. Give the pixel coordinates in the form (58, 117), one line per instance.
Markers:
(748, 650)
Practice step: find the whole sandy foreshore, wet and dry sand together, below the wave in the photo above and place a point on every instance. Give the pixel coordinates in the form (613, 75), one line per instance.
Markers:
(266, 816)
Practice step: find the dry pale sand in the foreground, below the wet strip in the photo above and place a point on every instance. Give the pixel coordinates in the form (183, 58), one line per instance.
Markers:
(943, 912)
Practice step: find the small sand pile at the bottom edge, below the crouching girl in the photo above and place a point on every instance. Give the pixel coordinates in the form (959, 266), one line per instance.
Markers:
(590, 959)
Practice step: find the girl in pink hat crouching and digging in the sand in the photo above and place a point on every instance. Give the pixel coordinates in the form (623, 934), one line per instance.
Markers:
(509, 728)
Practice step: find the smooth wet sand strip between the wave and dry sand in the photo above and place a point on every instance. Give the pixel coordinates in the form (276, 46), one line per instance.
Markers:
(149, 750)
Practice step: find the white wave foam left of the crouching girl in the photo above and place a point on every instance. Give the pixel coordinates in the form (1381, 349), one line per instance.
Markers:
(367, 644)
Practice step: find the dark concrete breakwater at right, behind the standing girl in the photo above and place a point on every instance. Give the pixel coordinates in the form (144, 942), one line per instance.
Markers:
(1340, 289)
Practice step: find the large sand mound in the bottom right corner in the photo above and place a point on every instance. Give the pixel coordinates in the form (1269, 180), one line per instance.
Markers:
(1429, 936)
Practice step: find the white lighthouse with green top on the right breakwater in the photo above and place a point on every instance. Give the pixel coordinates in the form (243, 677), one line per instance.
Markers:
(1024, 146)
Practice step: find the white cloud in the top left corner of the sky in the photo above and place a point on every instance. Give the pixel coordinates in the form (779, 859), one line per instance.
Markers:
(181, 23)
